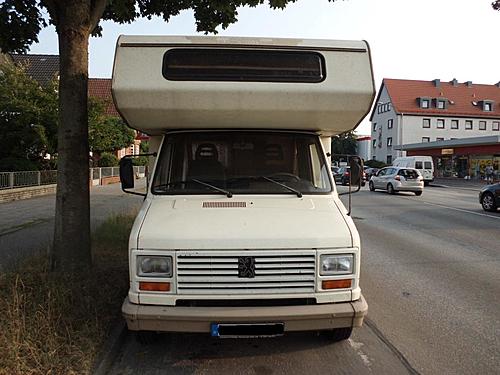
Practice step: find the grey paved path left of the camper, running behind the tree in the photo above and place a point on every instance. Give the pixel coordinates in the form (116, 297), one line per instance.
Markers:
(27, 226)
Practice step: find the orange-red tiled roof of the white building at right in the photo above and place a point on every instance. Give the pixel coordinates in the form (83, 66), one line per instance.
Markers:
(461, 97)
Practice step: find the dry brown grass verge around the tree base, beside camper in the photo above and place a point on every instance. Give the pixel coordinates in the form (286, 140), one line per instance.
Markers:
(55, 323)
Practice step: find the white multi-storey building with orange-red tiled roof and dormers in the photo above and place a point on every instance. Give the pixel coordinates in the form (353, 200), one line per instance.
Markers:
(409, 112)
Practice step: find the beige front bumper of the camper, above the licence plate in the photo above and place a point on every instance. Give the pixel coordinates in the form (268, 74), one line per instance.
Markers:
(198, 319)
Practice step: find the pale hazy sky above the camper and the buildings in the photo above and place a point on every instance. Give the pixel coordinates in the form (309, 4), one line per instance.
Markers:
(409, 39)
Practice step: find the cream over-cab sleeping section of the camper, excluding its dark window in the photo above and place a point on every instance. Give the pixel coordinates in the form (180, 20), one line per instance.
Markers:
(152, 104)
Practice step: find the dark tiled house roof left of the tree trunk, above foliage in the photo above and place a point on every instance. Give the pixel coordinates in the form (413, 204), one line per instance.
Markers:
(42, 68)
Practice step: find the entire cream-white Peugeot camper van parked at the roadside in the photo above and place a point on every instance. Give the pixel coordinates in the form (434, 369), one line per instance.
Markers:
(242, 232)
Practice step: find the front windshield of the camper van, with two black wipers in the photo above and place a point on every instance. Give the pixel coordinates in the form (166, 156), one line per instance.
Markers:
(234, 162)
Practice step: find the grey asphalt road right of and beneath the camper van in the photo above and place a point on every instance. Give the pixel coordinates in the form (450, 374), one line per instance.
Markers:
(431, 276)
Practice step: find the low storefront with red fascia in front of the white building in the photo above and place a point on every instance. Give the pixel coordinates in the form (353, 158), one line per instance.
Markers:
(462, 158)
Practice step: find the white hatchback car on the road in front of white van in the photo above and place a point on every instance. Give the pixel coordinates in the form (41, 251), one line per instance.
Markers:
(394, 179)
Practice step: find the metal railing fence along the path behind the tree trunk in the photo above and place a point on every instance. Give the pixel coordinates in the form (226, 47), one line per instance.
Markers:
(11, 180)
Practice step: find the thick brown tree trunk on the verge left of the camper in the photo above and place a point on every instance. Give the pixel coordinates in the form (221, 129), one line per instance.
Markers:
(71, 247)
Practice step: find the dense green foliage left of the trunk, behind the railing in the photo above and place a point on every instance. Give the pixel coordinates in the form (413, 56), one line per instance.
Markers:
(28, 115)
